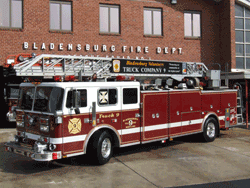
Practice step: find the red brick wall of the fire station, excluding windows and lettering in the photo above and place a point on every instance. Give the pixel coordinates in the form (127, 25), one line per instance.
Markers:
(215, 46)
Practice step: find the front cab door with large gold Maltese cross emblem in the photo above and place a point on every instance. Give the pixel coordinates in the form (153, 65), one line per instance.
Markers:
(74, 125)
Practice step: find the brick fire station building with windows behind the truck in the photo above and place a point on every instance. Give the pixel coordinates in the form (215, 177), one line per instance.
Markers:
(215, 32)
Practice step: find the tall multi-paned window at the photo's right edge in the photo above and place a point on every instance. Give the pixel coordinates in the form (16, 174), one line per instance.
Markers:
(242, 37)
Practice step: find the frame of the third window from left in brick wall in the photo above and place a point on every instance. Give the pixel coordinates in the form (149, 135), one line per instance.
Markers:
(109, 19)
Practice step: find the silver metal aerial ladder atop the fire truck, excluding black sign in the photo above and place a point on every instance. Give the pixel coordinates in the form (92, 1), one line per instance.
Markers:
(47, 66)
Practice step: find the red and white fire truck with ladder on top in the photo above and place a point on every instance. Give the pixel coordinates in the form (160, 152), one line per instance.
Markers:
(90, 105)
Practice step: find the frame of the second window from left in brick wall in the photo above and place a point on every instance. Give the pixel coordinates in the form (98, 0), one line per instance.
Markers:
(60, 16)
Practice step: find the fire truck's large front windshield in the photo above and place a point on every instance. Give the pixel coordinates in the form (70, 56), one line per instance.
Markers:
(48, 99)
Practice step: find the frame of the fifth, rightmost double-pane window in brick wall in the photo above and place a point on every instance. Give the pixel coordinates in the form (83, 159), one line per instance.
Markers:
(192, 24)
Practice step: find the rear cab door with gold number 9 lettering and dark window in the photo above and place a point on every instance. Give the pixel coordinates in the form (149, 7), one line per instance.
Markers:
(131, 129)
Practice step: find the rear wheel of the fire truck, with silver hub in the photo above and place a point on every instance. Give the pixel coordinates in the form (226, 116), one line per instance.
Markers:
(210, 130)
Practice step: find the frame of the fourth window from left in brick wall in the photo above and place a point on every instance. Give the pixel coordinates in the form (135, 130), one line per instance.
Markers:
(152, 10)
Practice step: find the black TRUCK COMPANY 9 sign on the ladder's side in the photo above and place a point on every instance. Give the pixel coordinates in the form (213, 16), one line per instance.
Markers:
(147, 67)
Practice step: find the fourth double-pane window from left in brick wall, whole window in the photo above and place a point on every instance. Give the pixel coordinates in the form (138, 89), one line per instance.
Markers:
(152, 21)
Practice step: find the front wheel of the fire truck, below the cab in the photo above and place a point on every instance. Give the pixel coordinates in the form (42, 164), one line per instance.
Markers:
(102, 148)
